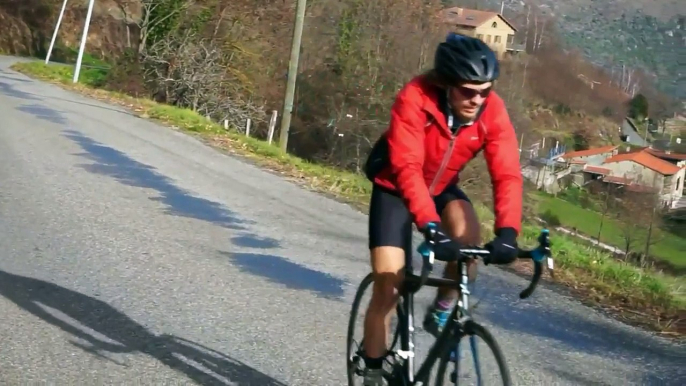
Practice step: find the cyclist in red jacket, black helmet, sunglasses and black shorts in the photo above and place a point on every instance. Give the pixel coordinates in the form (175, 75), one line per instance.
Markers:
(440, 121)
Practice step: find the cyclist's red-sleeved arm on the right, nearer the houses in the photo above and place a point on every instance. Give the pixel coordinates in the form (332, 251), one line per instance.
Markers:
(502, 157)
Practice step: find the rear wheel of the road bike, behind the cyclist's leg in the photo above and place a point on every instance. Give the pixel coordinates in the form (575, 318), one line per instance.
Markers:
(354, 357)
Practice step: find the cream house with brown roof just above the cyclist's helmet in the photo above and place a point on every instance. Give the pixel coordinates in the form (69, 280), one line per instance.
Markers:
(491, 27)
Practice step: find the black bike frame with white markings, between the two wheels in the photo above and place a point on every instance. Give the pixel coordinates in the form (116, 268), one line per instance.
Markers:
(406, 323)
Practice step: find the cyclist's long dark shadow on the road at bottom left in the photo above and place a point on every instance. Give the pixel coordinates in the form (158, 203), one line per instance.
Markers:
(123, 335)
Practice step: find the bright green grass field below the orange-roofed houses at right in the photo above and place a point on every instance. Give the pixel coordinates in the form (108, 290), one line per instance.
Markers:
(668, 247)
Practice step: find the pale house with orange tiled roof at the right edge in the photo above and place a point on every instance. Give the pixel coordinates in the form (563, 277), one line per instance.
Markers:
(643, 169)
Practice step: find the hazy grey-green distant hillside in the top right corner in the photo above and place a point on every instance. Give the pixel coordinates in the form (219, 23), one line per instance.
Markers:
(649, 35)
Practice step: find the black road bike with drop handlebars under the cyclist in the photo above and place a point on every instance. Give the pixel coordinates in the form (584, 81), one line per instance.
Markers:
(461, 323)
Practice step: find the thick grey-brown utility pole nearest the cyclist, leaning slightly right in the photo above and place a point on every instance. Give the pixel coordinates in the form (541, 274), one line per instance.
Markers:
(292, 74)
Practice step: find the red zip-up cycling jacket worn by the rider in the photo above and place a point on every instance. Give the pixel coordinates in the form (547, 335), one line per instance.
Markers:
(424, 157)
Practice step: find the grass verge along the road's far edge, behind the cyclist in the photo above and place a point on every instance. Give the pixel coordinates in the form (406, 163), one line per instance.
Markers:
(633, 294)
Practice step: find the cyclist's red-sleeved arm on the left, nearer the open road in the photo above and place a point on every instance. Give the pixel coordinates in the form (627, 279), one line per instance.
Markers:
(406, 153)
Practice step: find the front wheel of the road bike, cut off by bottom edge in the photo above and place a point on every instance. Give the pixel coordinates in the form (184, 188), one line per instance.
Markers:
(496, 373)
